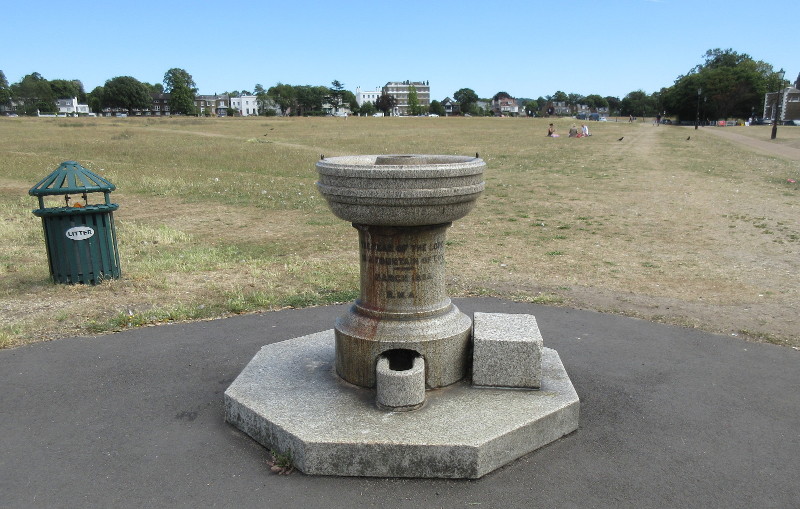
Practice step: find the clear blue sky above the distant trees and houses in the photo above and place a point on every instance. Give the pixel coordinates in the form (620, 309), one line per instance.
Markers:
(526, 48)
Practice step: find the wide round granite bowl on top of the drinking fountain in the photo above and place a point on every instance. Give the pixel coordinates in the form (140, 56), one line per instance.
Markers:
(402, 189)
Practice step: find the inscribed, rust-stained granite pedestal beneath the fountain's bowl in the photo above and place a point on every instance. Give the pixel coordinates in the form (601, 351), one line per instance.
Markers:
(403, 307)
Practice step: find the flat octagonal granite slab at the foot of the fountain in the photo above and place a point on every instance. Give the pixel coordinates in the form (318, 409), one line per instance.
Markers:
(290, 400)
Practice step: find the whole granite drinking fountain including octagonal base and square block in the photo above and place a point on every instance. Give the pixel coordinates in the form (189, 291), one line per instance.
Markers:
(405, 385)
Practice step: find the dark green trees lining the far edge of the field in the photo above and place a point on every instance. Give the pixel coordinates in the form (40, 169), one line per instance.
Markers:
(729, 85)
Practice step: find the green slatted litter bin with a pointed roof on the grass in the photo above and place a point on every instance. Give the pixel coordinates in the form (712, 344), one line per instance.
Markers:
(80, 237)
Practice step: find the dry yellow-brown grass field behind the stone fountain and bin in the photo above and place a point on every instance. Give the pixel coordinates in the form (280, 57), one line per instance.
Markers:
(221, 216)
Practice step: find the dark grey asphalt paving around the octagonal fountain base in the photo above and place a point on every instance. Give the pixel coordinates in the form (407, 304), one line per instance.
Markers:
(670, 417)
